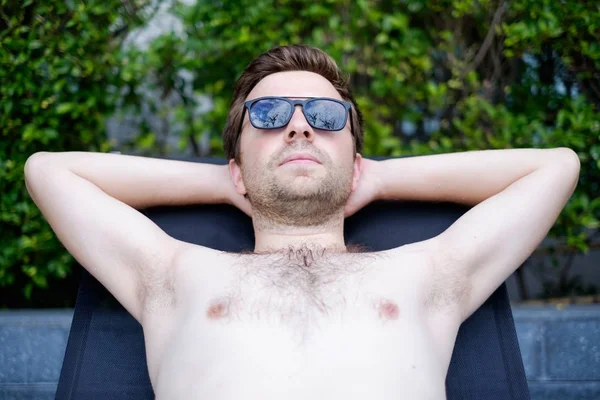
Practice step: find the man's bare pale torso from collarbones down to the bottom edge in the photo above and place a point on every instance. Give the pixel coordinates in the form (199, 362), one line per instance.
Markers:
(301, 325)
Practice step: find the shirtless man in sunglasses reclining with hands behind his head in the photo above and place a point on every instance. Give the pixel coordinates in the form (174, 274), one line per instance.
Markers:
(303, 316)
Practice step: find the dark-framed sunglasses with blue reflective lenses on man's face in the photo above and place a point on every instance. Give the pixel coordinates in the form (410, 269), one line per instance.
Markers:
(276, 112)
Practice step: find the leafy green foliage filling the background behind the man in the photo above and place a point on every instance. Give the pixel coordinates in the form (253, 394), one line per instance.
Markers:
(431, 76)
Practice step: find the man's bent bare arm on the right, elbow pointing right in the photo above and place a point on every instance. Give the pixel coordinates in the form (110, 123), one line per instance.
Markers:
(517, 196)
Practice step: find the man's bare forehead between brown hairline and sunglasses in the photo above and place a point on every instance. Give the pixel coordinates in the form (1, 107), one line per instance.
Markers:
(294, 84)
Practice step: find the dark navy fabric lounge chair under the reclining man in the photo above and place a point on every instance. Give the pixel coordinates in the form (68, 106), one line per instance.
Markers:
(105, 356)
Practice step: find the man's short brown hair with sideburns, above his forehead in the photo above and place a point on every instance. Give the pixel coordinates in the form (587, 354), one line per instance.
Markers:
(282, 59)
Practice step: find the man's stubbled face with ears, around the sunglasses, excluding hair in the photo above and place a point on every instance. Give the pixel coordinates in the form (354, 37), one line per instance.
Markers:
(293, 193)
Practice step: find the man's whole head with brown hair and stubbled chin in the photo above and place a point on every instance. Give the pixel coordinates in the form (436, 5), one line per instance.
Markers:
(293, 194)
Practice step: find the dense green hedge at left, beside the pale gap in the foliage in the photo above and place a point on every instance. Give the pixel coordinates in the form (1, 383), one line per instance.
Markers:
(61, 71)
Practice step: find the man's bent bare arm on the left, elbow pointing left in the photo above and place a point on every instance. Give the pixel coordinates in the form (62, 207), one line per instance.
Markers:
(90, 201)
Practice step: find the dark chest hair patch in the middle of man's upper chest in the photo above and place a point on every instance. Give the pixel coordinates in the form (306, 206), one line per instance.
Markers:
(296, 286)
